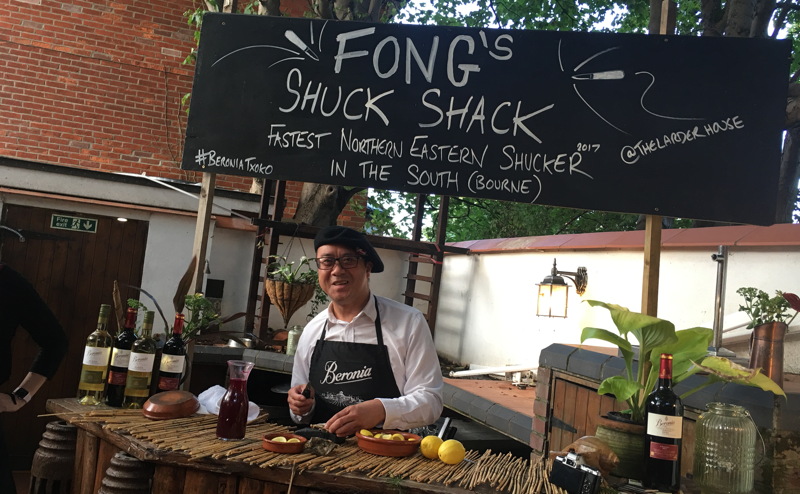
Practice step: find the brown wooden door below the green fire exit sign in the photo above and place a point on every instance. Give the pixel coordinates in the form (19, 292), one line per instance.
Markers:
(74, 271)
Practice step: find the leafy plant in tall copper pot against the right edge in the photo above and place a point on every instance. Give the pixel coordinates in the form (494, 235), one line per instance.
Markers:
(770, 318)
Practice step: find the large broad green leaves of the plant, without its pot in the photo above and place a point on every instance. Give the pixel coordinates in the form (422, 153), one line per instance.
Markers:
(688, 347)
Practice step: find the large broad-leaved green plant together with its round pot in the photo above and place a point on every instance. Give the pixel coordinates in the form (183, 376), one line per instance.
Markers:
(654, 336)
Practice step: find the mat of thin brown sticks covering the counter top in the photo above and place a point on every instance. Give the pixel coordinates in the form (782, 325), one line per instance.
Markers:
(195, 436)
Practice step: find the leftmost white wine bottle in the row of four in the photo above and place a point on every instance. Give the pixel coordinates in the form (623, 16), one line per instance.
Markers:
(95, 361)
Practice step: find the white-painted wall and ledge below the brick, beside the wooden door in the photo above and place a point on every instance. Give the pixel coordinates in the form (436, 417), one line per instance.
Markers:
(170, 234)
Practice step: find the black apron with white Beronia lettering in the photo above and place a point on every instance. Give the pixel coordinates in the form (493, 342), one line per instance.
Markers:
(345, 374)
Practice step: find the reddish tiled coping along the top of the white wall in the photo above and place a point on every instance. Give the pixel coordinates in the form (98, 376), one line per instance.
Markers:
(741, 235)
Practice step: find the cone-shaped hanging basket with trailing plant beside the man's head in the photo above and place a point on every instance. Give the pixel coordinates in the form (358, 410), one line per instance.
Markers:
(290, 285)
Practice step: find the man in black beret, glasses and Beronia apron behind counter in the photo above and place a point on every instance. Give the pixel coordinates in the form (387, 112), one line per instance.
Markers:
(365, 361)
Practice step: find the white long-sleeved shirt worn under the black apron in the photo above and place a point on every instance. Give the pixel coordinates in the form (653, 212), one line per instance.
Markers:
(412, 355)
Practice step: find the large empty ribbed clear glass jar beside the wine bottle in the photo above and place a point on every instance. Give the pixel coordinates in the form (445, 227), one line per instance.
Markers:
(724, 452)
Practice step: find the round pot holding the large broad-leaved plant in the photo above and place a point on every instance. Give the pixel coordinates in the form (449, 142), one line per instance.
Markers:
(626, 439)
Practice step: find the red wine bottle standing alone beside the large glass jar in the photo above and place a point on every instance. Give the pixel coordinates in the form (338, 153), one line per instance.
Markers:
(664, 430)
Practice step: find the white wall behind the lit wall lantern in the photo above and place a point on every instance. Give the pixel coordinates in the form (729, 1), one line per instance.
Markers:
(487, 302)
